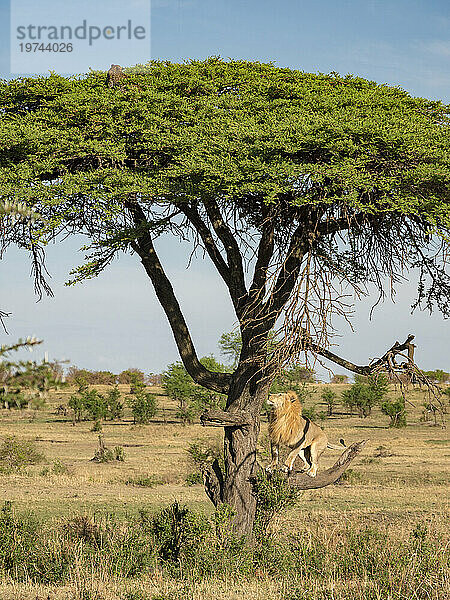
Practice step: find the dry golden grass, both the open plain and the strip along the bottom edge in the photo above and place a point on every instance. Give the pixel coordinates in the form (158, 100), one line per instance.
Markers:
(399, 480)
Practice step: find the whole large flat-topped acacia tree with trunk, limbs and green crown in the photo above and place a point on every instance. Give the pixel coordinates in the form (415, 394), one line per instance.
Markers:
(312, 182)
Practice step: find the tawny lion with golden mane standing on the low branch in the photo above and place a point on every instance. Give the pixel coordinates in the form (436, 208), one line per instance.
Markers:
(287, 426)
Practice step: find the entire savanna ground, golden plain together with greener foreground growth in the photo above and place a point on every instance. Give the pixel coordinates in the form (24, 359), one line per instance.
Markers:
(91, 527)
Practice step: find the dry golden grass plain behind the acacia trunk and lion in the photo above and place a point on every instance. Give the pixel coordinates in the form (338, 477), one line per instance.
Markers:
(411, 478)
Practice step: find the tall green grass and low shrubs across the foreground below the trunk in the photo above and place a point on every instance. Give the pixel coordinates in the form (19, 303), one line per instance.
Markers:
(186, 549)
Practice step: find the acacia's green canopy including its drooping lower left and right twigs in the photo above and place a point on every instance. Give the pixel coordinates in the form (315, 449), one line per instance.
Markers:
(241, 131)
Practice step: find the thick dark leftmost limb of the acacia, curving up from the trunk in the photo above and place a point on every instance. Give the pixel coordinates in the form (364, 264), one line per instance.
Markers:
(143, 246)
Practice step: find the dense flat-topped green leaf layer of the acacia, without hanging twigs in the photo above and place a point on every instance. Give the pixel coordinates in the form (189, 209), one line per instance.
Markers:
(204, 112)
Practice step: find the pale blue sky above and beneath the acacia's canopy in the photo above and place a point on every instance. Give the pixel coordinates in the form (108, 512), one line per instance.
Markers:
(115, 322)
